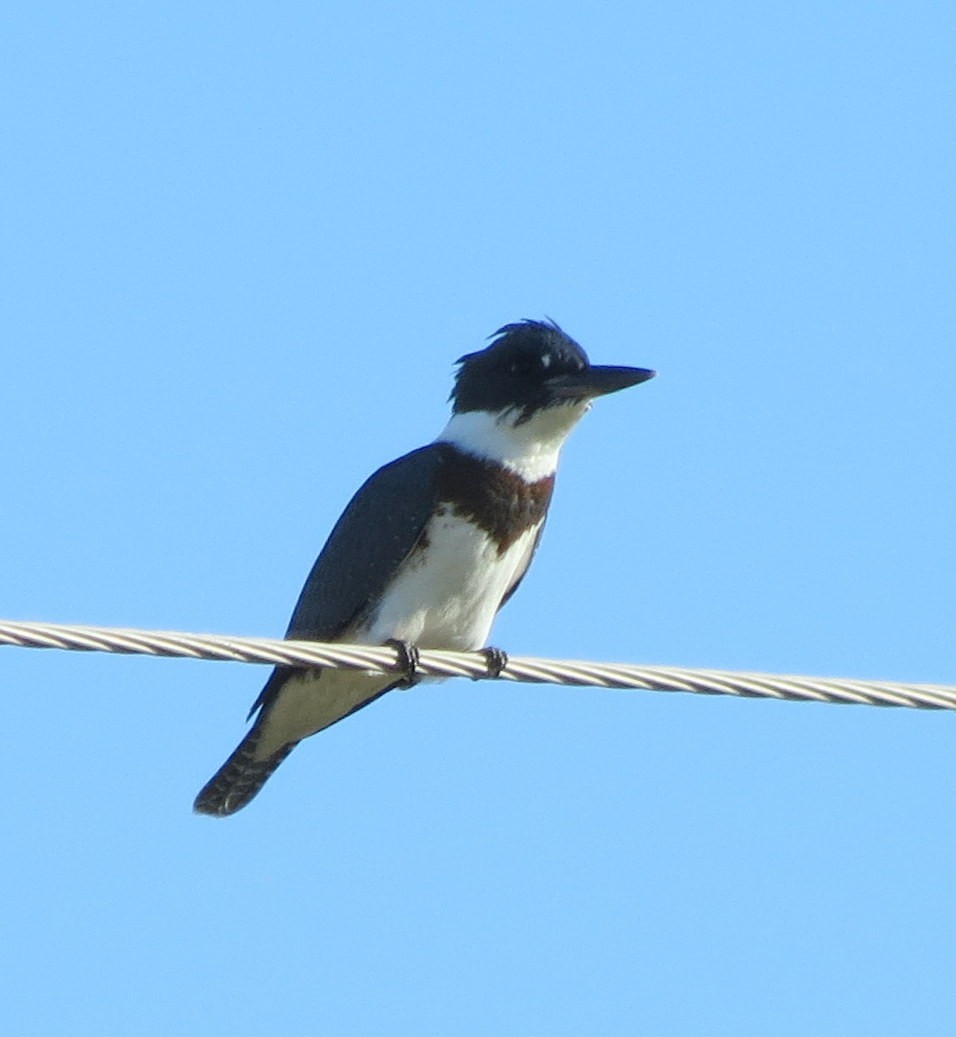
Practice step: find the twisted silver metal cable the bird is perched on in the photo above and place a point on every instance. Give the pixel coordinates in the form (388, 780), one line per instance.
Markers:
(474, 665)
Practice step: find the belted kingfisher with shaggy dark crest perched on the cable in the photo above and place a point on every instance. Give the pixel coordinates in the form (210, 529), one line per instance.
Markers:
(433, 545)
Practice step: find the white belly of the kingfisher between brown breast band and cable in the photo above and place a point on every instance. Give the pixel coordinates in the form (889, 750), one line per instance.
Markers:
(448, 595)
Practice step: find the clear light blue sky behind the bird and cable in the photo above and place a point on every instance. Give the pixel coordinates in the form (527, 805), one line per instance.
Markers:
(242, 247)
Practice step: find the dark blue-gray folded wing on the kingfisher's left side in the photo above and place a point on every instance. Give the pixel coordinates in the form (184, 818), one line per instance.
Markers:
(377, 532)
